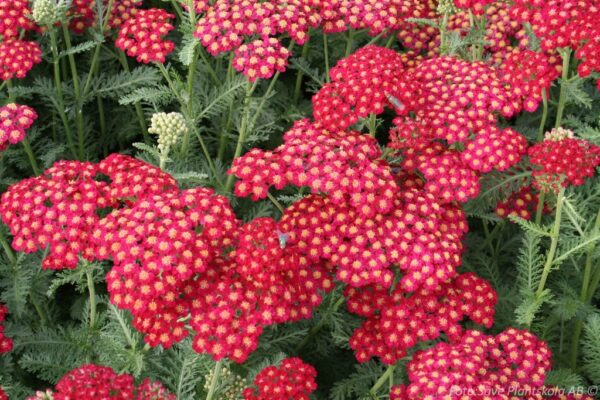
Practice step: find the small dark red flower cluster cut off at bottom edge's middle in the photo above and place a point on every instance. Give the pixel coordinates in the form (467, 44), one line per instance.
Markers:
(293, 380)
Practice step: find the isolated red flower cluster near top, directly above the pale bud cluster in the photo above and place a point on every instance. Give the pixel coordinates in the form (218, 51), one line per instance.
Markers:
(143, 36)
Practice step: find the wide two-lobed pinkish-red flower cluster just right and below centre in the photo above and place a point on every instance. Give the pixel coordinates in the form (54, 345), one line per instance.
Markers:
(418, 235)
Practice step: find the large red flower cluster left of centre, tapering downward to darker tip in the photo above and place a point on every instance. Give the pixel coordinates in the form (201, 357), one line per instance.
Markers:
(158, 245)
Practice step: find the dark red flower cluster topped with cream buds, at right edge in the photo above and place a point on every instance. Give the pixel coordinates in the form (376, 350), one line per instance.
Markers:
(560, 160)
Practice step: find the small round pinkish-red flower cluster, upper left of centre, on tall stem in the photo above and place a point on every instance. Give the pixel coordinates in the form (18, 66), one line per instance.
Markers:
(261, 58)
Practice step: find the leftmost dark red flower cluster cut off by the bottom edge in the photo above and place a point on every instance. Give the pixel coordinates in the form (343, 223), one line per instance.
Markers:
(92, 382)
